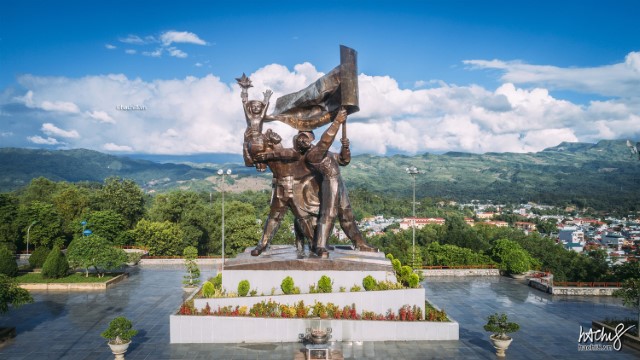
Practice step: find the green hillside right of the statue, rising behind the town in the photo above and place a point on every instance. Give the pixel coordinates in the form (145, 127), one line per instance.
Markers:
(604, 175)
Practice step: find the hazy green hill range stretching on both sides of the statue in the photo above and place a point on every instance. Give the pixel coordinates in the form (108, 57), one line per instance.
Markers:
(605, 175)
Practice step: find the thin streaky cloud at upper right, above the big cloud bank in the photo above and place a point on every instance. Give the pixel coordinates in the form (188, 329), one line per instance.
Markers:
(617, 80)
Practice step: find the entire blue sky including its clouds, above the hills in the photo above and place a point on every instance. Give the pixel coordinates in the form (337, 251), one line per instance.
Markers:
(435, 76)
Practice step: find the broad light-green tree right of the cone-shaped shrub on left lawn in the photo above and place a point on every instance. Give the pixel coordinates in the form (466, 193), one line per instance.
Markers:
(97, 252)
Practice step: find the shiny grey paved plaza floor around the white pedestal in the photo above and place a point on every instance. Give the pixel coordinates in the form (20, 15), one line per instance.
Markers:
(67, 325)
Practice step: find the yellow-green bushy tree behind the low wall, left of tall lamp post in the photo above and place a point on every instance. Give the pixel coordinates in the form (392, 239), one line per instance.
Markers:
(161, 238)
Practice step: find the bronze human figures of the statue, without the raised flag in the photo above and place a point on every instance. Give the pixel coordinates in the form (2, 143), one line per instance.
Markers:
(306, 178)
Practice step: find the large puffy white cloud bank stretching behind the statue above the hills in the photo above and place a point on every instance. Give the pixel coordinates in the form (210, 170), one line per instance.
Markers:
(204, 114)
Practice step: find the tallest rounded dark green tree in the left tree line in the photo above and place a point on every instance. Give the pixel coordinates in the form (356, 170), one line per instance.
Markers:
(124, 197)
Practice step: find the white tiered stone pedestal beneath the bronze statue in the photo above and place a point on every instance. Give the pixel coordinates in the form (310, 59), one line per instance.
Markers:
(345, 268)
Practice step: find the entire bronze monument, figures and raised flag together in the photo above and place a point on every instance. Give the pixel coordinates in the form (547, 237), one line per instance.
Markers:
(306, 178)
